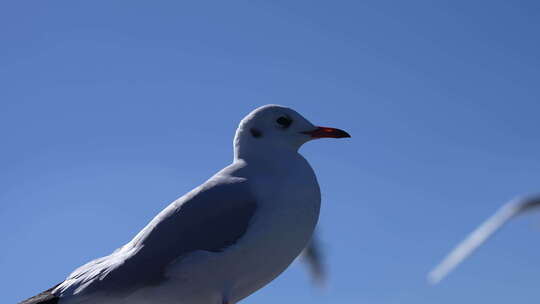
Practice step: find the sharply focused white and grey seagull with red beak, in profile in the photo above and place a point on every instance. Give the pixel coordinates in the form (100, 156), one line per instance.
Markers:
(225, 239)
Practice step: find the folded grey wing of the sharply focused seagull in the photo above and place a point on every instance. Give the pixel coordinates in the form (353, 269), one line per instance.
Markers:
(211, 218)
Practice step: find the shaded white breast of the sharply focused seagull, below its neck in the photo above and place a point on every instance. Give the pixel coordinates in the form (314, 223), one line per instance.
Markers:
(289, 210)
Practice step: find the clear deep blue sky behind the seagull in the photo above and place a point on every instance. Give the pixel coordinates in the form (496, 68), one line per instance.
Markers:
(110, 110)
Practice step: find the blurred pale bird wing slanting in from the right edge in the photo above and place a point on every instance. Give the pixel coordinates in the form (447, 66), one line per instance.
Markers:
(508, 211)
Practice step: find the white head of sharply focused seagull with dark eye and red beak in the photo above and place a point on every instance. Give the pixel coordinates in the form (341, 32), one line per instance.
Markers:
(274, 128)
